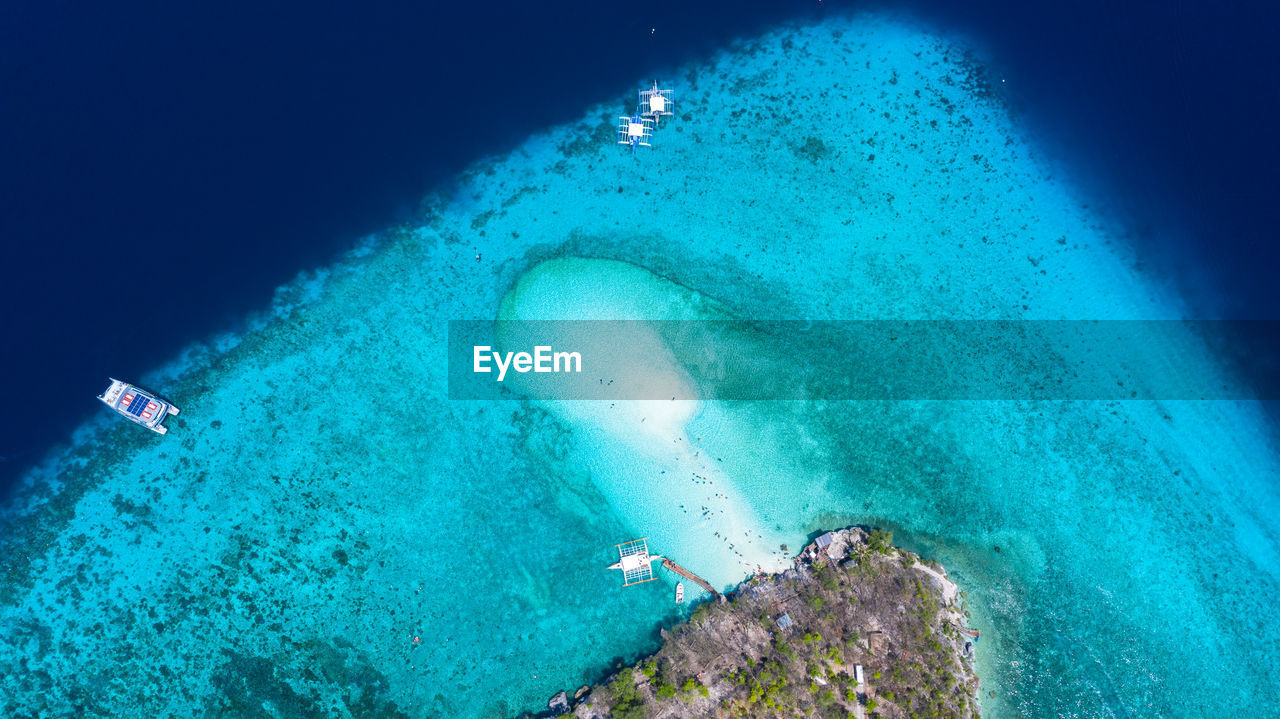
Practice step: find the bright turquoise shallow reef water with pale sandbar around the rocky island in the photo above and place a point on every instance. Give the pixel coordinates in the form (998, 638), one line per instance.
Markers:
(324, 532)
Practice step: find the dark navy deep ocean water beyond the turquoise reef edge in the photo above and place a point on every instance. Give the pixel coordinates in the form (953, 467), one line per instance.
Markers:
(163, 168)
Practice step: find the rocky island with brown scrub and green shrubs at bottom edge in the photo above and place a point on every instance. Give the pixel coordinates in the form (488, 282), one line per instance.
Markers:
(857, 629)
